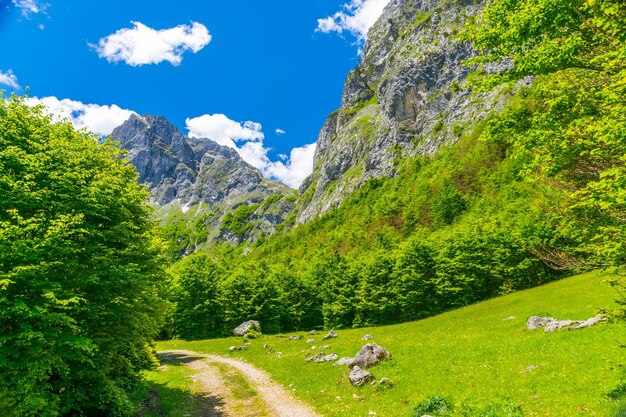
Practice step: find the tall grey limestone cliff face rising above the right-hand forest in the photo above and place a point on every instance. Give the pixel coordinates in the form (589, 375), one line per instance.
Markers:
(409, 95)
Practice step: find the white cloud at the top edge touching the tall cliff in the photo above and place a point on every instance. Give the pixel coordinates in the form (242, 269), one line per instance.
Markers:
(357, 17)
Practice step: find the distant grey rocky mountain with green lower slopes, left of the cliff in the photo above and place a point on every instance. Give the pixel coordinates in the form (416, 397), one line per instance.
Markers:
(201, 185)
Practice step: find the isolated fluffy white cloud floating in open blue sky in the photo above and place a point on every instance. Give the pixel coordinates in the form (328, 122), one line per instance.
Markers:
(142, 45)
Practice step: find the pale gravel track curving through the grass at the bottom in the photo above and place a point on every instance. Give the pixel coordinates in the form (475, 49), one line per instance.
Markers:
(277, 400)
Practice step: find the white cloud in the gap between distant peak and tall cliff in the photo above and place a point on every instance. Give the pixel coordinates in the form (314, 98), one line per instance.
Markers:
(247, 138)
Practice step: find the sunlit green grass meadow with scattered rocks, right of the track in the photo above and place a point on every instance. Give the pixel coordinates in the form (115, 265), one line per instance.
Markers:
(471, 355)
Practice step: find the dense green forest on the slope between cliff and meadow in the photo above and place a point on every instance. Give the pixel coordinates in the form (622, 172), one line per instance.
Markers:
(446, 232)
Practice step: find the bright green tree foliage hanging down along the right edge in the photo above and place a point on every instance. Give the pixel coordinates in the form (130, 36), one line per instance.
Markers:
(572, 121)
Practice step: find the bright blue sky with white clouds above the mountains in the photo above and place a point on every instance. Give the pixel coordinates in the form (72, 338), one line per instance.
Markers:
(258, 76)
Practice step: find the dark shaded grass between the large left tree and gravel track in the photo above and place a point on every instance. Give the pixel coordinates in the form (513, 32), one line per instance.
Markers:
(165, 400)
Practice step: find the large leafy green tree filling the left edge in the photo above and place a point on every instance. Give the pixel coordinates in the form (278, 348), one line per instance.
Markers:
(79, 270)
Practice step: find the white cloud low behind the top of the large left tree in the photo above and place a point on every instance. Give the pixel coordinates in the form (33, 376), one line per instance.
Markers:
(98, 119)
